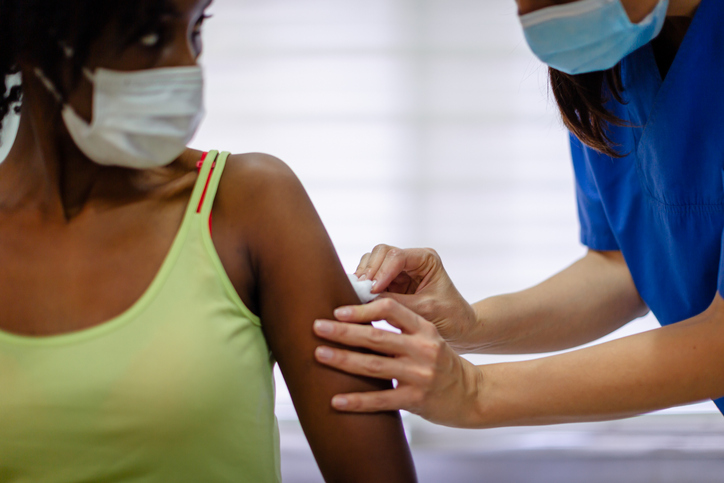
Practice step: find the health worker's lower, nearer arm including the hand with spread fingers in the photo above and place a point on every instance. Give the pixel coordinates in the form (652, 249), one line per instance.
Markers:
(670, 366)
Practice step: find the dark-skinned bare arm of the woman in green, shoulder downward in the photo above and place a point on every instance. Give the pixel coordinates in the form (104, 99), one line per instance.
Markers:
(282, 262)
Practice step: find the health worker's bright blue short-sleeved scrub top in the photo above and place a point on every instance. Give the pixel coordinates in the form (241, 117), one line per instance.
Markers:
(662, 204)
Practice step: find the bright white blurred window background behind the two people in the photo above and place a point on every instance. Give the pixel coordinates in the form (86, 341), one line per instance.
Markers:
(429, 123)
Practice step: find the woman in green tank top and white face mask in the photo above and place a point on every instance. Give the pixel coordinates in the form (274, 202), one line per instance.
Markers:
(137, 338)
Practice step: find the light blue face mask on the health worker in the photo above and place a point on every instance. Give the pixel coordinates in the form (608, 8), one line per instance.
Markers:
(588, 35)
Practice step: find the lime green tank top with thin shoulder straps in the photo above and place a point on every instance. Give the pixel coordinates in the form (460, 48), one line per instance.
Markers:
(176, 389)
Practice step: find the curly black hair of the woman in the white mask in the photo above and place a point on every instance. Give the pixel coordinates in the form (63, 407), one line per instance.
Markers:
(36, 31)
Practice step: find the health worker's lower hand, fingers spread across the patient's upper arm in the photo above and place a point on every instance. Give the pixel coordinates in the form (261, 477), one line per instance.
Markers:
(432, 380)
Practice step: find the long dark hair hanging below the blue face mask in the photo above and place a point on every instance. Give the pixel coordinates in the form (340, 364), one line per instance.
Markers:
(581, 100)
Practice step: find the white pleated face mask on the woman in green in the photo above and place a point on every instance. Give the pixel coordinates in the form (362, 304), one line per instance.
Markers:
(141, 119)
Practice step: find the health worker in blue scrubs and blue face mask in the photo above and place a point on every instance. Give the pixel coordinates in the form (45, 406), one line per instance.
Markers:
(639, 85)
